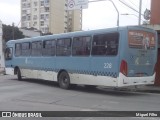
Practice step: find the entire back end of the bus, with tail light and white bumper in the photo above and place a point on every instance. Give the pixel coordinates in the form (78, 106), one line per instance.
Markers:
(138, 57)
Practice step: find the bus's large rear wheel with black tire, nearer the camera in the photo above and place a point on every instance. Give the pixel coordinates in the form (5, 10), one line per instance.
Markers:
(64, 80)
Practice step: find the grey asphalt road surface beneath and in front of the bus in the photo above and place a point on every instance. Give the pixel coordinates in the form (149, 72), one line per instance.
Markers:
(36, 95)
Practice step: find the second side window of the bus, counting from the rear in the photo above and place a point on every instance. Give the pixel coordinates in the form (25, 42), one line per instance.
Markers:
(81, 46)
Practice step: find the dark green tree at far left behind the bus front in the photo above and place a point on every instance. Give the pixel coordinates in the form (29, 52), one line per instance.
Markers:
(10, 33)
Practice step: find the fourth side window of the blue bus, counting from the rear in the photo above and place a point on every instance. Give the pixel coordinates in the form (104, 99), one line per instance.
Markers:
(49, 48)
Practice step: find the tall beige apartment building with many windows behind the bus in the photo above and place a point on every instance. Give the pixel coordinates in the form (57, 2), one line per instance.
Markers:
(49, 16)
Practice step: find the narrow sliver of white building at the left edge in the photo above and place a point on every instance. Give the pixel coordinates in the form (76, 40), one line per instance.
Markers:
(2, 64)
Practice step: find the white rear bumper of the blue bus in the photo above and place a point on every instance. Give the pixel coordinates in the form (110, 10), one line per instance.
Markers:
(130, 81)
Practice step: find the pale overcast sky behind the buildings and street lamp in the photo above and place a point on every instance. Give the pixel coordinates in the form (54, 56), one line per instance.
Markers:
(98, 15)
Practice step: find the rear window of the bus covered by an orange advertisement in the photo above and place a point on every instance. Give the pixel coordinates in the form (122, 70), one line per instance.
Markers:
(141, 39)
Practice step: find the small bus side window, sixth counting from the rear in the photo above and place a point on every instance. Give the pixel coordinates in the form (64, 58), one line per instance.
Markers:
(25, 49)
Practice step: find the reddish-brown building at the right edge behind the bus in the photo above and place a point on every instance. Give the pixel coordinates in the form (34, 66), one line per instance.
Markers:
(155, 24)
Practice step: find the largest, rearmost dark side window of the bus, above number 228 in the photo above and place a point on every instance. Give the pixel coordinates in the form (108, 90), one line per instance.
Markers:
(105, 44)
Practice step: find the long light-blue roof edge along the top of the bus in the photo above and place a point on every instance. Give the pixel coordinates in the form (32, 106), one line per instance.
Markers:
(78, 33)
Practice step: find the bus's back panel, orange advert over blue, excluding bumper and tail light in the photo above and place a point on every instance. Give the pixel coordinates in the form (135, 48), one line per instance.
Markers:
(141, 58)
